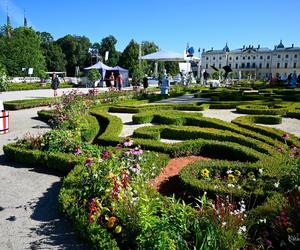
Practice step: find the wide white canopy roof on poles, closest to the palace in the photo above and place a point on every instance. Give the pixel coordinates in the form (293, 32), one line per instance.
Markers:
(163, 55)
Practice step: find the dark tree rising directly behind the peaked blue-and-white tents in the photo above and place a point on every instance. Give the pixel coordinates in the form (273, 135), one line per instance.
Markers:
(109, 44)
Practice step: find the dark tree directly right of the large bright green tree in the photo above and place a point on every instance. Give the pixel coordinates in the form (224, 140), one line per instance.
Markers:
(54, 57)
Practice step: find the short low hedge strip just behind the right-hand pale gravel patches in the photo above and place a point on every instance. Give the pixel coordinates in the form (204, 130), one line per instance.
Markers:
(261, 110)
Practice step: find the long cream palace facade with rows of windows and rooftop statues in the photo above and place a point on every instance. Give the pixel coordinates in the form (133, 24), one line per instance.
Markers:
(254, 62)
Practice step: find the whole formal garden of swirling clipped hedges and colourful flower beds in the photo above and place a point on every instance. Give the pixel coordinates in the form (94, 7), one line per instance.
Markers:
(242, 192)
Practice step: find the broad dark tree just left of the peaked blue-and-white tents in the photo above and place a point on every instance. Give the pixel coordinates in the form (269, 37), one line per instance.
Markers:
(76, 50)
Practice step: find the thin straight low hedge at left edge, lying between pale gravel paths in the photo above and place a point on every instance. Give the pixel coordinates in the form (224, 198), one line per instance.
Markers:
(29, 103)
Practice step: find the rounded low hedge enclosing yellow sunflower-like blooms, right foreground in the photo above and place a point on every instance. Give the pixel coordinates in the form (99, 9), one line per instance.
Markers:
(261, 186)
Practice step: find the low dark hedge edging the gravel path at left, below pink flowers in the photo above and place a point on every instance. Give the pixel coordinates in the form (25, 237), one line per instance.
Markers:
(54, 161)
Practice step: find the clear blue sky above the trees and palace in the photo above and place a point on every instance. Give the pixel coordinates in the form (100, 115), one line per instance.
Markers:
(171, 24)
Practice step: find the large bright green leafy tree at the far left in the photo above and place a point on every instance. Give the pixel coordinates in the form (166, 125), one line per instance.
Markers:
(22, 50)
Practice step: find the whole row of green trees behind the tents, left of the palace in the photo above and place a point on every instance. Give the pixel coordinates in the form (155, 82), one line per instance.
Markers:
(23, 47)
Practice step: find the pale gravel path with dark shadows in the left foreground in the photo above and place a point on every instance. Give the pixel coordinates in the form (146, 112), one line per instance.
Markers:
(29, 218)
